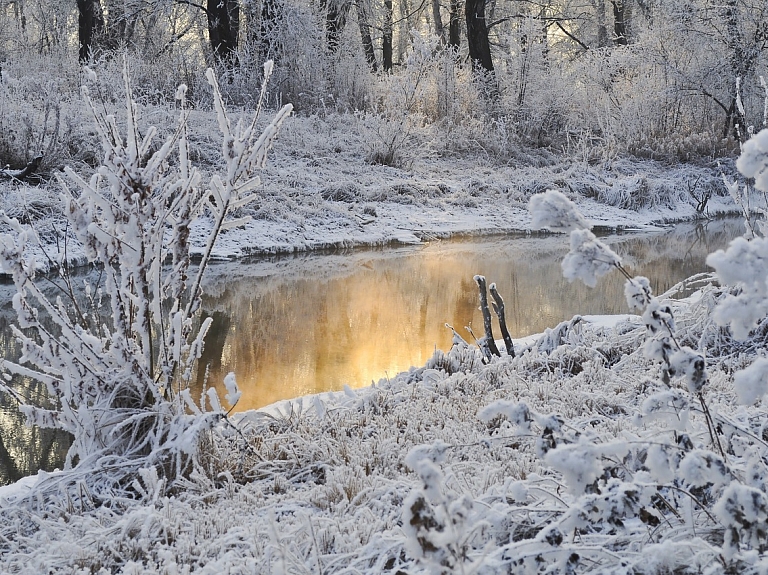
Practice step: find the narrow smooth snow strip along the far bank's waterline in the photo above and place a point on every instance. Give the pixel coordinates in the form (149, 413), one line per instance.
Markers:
(397, 224)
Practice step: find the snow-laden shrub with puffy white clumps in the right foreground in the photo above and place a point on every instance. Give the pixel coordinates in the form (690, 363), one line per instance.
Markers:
(687, 473)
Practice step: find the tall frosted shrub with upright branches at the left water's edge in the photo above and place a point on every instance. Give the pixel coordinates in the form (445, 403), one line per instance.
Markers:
(120, 382)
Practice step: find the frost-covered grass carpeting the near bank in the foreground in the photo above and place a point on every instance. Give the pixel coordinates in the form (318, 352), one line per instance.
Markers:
(324, 484)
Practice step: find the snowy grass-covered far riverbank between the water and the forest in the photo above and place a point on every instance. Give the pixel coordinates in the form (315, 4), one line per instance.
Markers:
(318, 191)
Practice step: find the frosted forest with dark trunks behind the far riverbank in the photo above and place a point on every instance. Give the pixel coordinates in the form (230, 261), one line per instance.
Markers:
(594, 79)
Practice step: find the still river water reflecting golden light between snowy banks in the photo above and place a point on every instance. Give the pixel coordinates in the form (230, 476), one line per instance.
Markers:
(293, 325)
